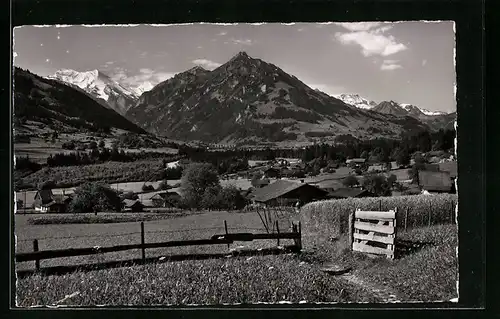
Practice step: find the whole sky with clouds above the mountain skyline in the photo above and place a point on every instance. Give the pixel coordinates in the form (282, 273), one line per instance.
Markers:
(407, 62)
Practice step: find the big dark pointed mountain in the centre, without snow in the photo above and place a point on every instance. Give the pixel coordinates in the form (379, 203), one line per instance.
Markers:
(250, 100)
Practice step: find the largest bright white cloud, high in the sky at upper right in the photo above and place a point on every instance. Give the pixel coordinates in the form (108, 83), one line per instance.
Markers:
(371, 37)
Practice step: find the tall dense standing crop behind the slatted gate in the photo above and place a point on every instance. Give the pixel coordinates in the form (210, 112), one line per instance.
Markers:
(331, 216)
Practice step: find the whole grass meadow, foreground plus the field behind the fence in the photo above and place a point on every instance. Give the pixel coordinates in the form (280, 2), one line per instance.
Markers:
(427, 272)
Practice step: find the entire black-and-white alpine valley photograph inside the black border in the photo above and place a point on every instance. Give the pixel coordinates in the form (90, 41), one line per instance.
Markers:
(224, 172)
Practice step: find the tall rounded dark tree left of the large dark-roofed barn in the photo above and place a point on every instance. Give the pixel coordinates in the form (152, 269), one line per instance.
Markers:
(196, 178)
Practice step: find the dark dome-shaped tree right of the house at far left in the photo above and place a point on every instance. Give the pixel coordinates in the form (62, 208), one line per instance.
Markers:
(95, 197)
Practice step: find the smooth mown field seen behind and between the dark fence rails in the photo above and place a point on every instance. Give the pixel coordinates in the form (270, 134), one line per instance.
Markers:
(202, 225)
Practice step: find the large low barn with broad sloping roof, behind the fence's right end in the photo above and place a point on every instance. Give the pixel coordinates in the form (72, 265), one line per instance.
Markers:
(287, 193)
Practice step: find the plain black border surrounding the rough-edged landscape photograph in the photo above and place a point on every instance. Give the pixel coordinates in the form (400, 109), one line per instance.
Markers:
(475, 174)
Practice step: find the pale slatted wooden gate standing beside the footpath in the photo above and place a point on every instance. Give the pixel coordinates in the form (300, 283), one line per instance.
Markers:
(373, 232)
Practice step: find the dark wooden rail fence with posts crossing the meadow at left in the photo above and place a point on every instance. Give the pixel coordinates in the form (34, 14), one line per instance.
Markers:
(218, 239)
